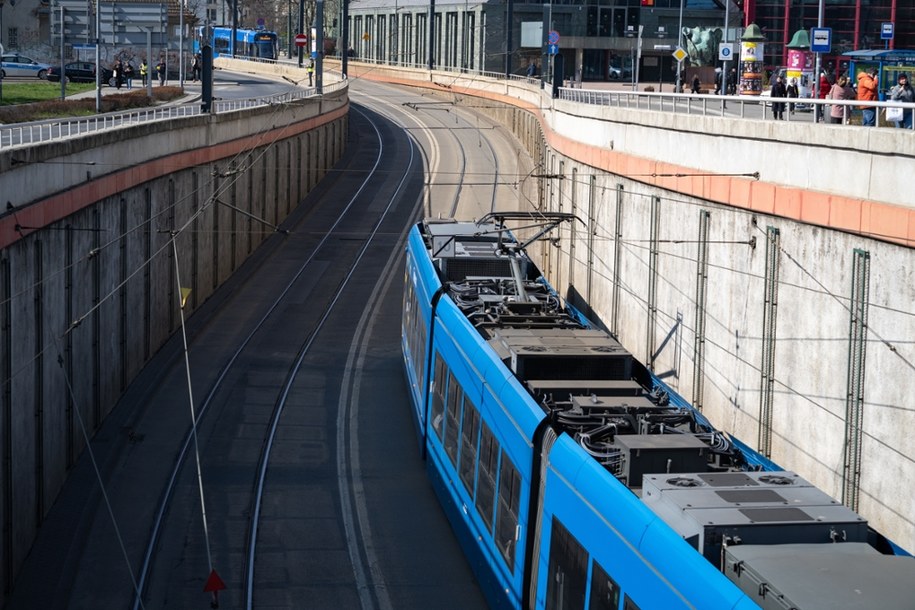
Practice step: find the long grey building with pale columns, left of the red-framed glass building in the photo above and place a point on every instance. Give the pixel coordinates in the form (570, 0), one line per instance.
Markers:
(598, 39)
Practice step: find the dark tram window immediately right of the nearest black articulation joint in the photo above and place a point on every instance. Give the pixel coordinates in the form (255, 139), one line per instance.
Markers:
(568, 570)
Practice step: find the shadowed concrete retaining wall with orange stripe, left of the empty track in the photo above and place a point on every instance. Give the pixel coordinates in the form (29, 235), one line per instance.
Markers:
(88, 286)
